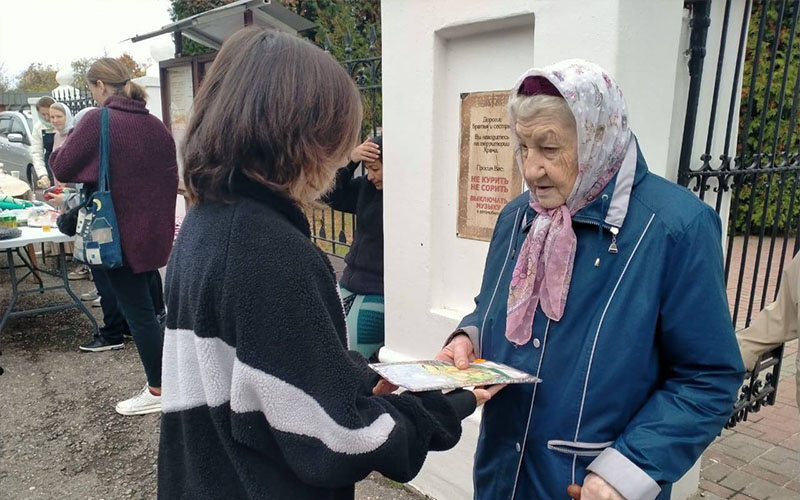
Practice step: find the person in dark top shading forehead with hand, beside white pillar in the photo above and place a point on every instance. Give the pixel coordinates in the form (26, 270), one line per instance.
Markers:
(362, 280)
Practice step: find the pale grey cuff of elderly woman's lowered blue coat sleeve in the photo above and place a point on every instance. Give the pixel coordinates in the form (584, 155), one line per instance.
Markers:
(626, 477)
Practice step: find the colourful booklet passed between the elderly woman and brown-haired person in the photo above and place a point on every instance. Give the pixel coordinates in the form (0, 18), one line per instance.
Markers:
(432, 375)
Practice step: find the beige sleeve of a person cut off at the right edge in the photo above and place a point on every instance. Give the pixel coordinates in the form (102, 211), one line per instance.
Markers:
(776, 323)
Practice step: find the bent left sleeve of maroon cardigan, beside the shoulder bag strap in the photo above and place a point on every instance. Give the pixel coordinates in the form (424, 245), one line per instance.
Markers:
(74, 161)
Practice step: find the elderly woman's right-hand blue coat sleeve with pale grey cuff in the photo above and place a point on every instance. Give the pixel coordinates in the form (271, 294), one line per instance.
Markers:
(701, 365)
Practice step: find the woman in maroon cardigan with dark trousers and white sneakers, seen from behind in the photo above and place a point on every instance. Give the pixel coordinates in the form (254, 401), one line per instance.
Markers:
(144, 182)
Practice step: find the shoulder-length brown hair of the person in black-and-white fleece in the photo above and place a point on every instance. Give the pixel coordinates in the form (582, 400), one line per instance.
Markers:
(275, 108)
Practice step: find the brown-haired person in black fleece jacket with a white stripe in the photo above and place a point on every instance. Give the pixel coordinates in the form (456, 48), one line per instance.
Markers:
(262, 399)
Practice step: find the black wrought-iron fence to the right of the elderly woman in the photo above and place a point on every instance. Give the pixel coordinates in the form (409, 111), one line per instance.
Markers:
(755, 182)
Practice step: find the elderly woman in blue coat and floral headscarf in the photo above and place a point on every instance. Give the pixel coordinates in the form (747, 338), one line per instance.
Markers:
(606, 281)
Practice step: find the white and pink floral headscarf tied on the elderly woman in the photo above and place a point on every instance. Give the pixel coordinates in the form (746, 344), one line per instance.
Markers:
(543, 270)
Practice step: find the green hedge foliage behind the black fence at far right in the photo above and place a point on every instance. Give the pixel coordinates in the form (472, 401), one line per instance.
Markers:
(761, 100)
